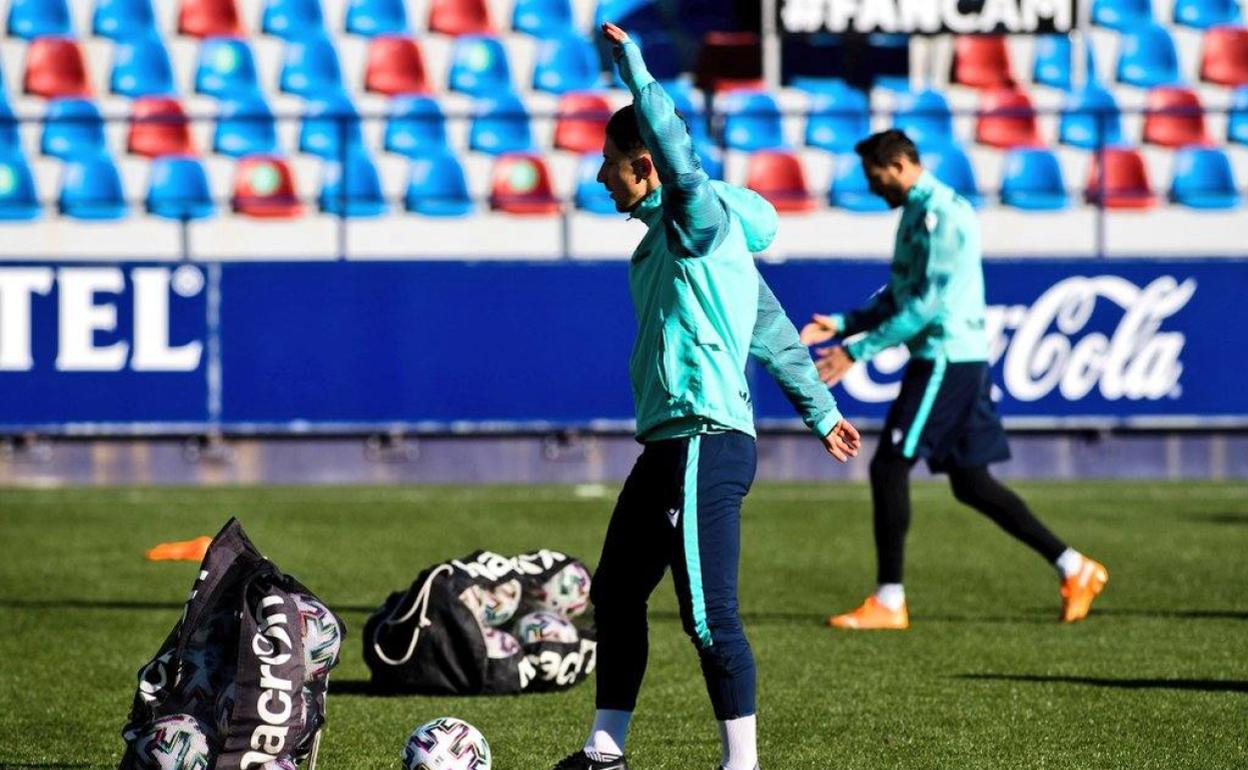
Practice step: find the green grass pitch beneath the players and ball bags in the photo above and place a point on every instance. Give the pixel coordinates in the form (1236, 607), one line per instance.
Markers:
(985, 678)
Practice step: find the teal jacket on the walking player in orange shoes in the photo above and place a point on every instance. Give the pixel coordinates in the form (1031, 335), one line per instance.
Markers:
(934, 301)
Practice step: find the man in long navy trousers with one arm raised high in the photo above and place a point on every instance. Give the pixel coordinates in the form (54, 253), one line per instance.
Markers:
(702, 309)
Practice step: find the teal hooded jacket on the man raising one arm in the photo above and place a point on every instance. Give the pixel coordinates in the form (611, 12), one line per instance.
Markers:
(702, 306)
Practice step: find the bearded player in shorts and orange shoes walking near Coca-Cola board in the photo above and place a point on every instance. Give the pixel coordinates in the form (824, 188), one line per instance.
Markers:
(934, 304)
